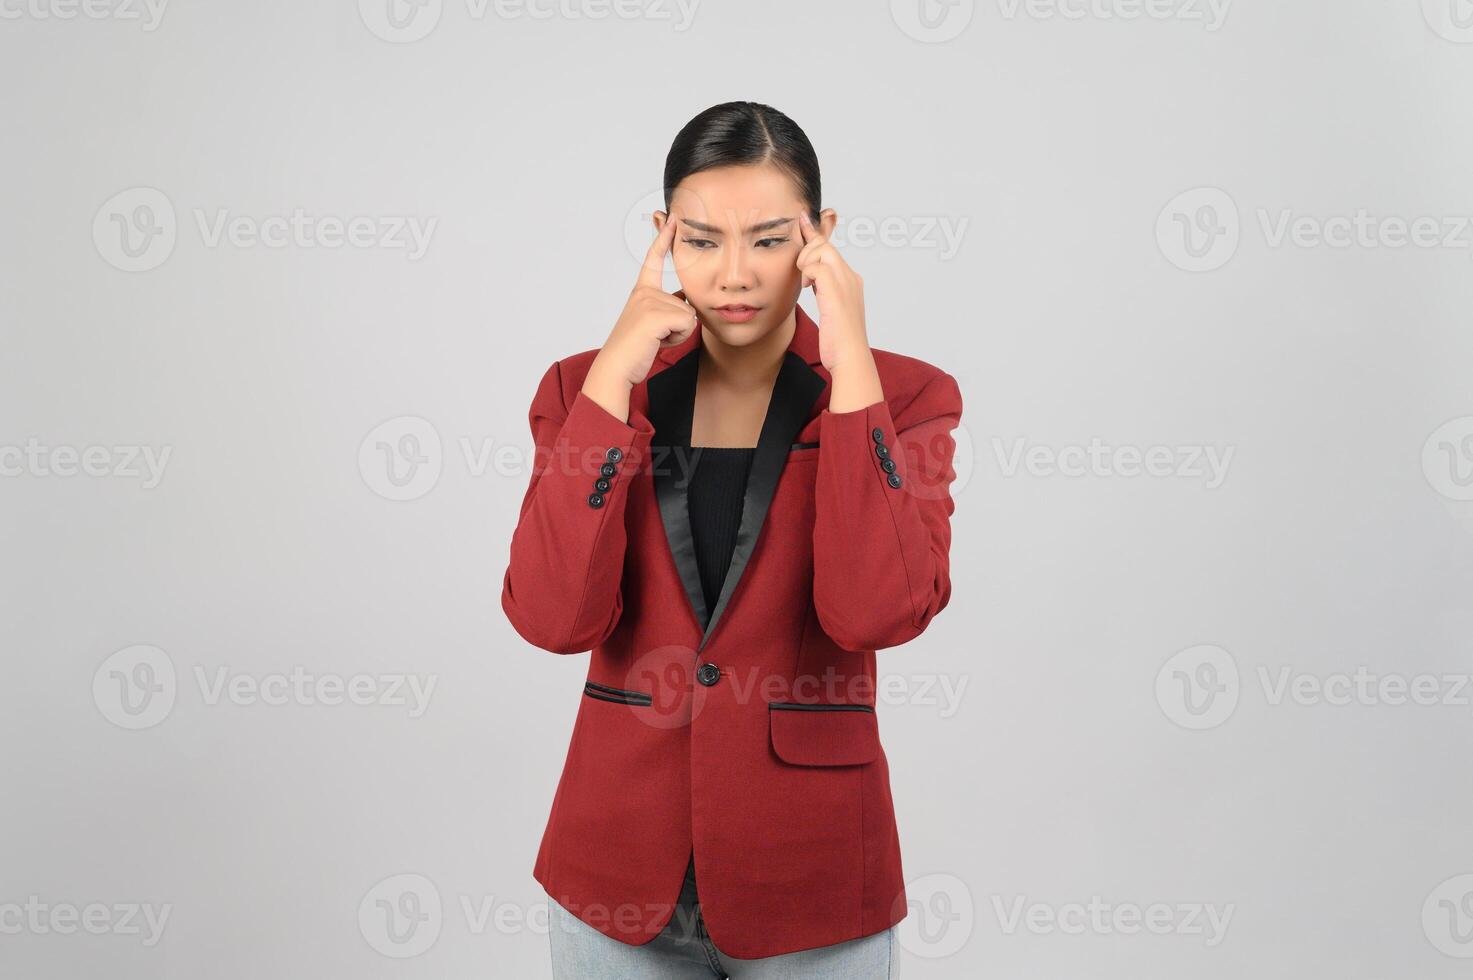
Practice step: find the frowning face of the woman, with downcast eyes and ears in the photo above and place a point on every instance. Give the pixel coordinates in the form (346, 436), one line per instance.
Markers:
(736, 247)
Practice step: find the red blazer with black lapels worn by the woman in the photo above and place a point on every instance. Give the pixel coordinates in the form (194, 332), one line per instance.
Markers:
(746, 733)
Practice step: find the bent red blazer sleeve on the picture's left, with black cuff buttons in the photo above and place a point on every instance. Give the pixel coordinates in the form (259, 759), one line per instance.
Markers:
(562, 589)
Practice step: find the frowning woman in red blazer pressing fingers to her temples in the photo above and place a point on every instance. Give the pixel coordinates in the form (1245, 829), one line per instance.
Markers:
(733, 509)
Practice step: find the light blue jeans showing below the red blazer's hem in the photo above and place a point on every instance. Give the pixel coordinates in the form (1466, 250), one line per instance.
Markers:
(683, 951)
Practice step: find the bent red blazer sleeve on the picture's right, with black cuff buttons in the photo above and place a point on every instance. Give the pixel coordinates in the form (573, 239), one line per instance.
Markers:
(882, 553)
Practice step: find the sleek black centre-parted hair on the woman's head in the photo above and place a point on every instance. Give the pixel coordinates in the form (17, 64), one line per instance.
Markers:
(745, 133)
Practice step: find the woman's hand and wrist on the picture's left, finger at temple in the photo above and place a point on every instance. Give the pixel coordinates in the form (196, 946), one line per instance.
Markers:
(652, 319)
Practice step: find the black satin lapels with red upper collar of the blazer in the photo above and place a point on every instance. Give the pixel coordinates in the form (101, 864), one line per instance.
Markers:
(672, 405)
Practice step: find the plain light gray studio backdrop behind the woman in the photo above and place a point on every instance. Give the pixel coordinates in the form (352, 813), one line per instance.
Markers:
(278, 285)
